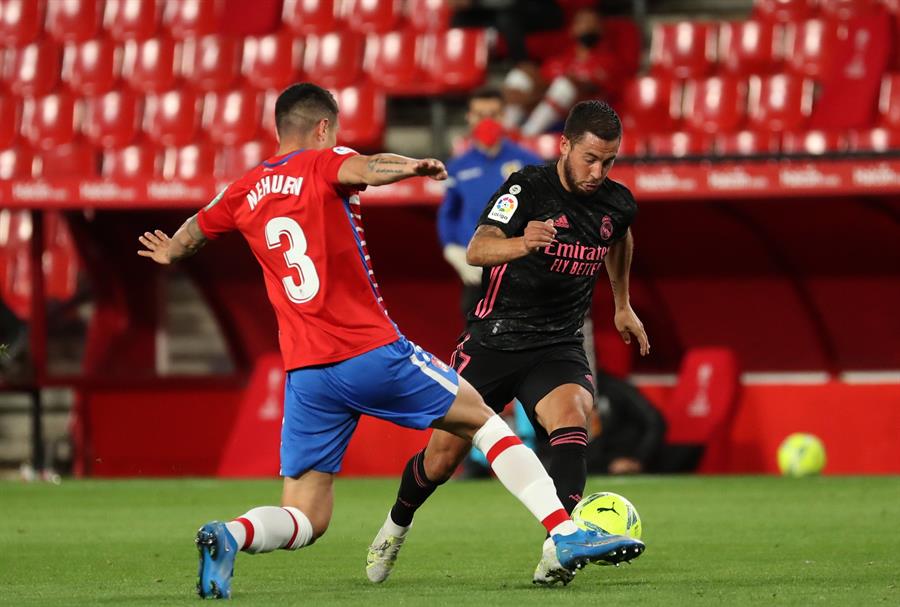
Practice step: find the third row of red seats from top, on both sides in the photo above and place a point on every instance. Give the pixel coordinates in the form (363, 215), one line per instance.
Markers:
(179, 117)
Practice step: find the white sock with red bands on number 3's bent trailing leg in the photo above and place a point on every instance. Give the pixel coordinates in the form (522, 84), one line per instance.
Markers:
(269, 528)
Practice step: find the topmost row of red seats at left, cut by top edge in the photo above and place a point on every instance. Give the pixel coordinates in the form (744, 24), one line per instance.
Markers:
(23, 21)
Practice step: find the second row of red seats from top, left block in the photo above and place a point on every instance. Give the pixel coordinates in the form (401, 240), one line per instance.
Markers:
(399, 62)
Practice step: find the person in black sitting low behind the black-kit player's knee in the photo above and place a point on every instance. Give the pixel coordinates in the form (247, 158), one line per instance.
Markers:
(629, 432)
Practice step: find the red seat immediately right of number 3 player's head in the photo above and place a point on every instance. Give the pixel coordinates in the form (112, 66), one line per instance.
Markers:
(362, 116)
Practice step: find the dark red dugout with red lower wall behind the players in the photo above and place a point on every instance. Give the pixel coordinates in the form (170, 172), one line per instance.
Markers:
(802, 289)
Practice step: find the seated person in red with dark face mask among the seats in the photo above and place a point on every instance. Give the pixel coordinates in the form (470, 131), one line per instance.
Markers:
(600, 57)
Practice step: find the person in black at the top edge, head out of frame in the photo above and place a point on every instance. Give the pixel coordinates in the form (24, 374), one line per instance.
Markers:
(512, 19)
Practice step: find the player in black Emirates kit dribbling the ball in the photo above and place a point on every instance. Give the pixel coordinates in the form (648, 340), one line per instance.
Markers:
(542, 240)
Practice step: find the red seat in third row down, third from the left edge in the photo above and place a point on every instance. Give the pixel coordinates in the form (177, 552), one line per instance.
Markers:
(112, 120)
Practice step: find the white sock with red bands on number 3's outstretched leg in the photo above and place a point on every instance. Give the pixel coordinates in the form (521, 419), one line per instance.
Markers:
(521, 472)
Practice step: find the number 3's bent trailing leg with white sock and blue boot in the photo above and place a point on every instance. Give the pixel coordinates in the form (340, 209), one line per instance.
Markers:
(306, 506)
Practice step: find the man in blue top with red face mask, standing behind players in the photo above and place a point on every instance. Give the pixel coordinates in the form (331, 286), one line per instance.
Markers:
(474, 176)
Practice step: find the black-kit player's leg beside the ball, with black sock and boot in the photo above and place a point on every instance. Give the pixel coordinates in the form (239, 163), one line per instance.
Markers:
(564, 414)
